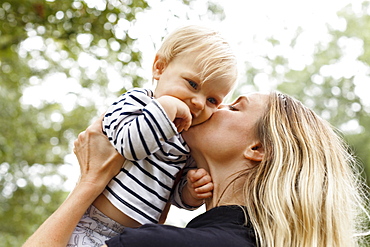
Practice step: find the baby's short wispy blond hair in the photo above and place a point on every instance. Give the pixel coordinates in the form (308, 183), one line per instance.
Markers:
(215, 59)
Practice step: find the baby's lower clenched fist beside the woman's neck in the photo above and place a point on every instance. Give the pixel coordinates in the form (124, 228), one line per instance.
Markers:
(199, 187)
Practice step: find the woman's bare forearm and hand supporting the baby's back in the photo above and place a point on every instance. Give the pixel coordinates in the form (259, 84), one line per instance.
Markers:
(99, 163)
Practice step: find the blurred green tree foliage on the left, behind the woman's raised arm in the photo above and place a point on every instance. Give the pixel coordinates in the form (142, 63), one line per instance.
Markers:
(79, 50)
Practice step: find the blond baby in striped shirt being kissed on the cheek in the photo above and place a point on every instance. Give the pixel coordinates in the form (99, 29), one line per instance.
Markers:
(194, 69)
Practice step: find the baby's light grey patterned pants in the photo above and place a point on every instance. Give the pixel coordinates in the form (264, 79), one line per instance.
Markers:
(94, 229)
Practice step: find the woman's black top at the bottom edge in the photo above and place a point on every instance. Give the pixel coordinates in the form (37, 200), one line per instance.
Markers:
(221, 226)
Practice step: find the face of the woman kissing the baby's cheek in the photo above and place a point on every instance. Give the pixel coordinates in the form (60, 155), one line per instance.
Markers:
(230, 130)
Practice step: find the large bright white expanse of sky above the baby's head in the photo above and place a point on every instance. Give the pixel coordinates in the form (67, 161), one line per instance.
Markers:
(249, 22)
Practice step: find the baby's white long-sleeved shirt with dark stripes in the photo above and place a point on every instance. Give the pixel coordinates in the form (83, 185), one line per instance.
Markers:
(139, 129)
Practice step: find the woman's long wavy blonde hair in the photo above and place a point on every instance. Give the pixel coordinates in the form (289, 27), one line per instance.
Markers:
(307, 190)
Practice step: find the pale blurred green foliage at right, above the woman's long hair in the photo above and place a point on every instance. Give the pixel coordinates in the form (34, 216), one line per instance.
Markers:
(330, 82)
